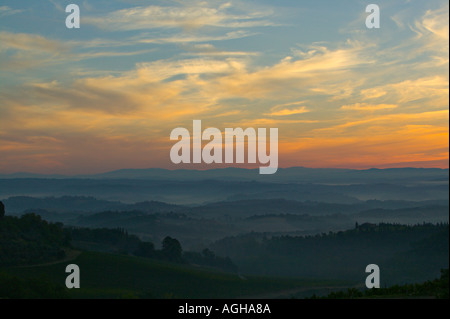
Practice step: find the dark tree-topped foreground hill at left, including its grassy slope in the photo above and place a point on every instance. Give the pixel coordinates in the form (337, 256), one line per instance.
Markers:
(33, 261)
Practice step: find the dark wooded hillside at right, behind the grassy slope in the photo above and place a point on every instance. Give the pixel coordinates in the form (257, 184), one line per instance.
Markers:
(403, 251)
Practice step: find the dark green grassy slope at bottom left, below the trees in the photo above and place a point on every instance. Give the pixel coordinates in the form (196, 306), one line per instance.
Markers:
(115, 276)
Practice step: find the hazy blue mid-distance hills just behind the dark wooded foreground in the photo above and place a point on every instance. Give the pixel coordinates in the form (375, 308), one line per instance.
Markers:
(198, 226)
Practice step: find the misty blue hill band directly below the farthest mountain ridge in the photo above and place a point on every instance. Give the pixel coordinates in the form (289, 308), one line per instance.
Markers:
(204, 191)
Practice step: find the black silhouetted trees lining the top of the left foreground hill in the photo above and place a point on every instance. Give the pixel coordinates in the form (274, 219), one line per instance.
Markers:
(31, 240)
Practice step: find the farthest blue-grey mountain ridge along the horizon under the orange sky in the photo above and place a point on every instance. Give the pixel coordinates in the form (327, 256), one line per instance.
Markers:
(292, 174)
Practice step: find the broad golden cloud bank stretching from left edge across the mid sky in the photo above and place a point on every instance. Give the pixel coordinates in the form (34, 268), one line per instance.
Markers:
(165, 92)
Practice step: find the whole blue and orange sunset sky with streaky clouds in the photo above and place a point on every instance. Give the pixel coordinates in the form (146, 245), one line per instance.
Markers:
(106, 96)
